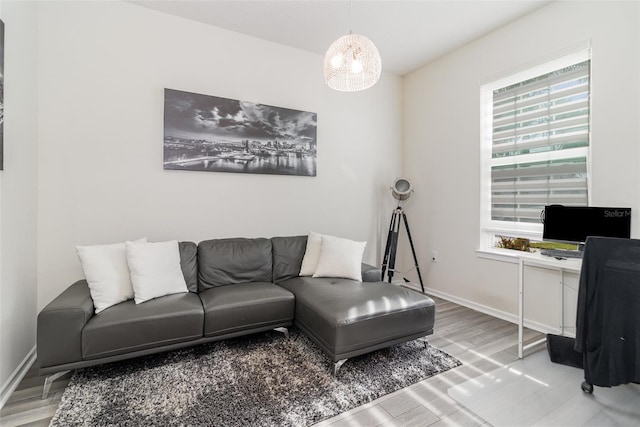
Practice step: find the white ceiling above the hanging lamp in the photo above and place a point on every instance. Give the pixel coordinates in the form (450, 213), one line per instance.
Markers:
(408, 34)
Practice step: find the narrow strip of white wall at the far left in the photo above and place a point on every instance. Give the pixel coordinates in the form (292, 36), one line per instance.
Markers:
(18, 192)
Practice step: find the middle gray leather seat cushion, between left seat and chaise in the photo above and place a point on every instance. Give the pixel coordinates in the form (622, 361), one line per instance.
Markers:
(233, 309)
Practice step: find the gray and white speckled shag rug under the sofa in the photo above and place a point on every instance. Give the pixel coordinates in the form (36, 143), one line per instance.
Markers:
(259, 380)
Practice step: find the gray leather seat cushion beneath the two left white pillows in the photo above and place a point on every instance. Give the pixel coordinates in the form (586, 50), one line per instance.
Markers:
(127, 327)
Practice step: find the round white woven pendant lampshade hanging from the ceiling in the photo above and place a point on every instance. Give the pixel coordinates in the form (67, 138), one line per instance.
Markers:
(352, 63)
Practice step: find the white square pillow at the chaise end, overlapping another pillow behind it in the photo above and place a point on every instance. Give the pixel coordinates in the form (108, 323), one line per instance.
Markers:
(340, 258)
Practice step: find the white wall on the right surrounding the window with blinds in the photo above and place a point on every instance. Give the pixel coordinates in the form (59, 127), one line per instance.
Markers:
(442, 136)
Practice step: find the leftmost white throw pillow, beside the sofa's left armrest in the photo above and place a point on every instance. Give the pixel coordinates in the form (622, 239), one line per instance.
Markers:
(107, 273)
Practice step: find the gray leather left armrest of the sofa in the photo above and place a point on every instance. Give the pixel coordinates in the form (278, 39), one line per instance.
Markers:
(60, 326)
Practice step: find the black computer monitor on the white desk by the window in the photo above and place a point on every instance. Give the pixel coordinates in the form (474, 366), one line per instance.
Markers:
(574, 224)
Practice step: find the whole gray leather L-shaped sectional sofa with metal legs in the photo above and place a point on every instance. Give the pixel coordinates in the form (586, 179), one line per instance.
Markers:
(236, 287)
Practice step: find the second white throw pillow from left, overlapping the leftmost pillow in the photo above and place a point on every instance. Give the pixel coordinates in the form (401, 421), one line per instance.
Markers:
(155, 269)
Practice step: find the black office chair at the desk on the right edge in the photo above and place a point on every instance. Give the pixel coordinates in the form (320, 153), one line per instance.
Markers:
(608, 315)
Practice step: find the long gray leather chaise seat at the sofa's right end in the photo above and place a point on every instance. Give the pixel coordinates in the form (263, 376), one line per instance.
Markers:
(347, 318)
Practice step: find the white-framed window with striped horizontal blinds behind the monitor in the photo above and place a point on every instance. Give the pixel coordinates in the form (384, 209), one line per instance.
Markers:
(535, 146)
